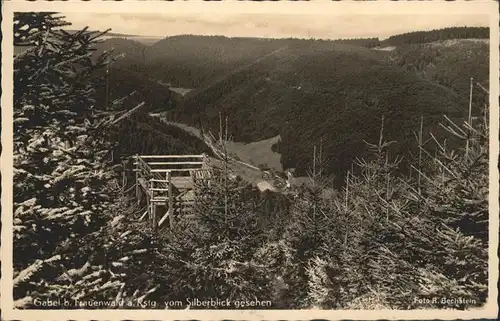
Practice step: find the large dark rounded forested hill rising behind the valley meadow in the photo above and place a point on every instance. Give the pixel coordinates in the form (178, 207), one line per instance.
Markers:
(335, 94)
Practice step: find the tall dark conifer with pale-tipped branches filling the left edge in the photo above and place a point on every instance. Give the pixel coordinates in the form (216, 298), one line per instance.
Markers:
(62, 203)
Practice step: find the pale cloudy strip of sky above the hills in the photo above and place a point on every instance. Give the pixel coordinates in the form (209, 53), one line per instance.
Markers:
(321, 26)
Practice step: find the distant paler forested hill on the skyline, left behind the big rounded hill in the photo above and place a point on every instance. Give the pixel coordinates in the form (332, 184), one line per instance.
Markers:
(192, 61)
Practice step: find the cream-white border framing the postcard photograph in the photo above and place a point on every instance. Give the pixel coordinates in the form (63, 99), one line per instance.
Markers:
(489, 8)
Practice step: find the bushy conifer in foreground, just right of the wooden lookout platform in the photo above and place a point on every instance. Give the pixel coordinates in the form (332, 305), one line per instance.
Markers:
(210, 254)
